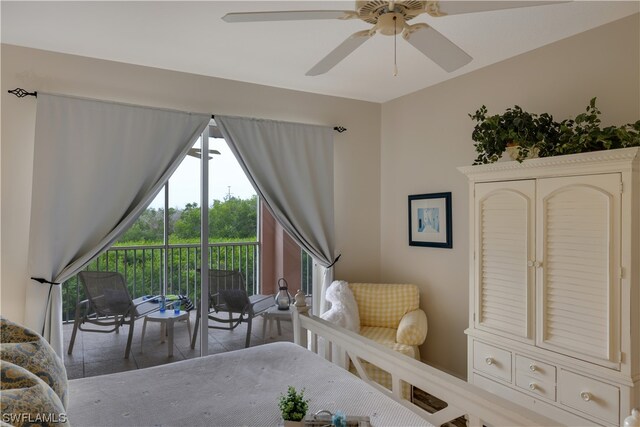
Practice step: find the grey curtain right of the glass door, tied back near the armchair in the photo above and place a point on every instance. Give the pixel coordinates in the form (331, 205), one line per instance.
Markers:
(291, 167)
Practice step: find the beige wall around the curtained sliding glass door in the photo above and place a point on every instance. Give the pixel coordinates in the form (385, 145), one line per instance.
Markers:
(357, 182)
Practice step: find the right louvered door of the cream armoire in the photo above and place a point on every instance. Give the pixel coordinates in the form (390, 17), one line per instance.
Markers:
(578, 250)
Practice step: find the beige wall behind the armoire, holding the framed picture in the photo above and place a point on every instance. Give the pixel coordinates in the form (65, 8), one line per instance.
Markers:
(427, 134)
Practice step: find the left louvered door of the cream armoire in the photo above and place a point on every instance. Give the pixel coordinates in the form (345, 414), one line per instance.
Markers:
(504, 224)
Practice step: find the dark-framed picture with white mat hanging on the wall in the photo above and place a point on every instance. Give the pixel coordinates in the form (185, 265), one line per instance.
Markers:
(430, 220)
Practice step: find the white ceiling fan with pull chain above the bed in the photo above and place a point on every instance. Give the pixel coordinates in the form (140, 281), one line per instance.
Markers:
(391, 18)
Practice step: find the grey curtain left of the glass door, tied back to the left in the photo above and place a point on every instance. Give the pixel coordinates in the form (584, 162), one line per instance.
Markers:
(97, 166)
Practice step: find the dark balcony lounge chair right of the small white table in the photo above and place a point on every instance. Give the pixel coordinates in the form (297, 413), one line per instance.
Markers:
(227, 294)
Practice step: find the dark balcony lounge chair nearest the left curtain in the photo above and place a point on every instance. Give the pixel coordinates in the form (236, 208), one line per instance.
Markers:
(108, 304)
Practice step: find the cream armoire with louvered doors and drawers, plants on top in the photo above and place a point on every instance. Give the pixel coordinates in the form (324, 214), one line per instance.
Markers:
(554, 302)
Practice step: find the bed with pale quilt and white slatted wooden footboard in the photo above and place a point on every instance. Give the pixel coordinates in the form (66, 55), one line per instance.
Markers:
(242, 387)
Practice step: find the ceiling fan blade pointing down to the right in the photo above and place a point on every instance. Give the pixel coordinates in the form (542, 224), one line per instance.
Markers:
(440, 49)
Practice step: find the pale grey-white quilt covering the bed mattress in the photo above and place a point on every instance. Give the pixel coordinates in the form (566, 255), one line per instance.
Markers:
(231, 389)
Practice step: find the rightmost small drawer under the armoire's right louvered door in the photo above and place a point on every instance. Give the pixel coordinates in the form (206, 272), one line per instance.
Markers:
(590, 396)
